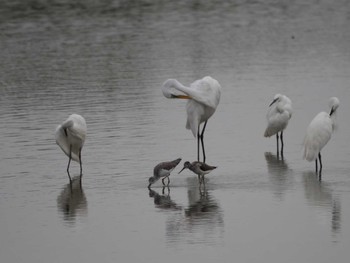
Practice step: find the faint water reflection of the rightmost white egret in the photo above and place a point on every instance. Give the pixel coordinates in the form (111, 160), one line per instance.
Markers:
(318, 195)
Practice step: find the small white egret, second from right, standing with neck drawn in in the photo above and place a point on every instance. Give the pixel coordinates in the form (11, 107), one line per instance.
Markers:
(278, 116)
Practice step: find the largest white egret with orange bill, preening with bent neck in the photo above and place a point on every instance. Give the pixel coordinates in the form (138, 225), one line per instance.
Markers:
(203, 97)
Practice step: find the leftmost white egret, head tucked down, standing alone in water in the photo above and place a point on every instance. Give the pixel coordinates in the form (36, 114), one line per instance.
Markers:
(70, 136)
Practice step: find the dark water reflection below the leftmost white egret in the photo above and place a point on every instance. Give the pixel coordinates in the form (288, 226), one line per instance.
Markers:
(72, 201)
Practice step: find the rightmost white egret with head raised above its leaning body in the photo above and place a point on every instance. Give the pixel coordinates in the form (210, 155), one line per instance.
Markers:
(319, 133)
